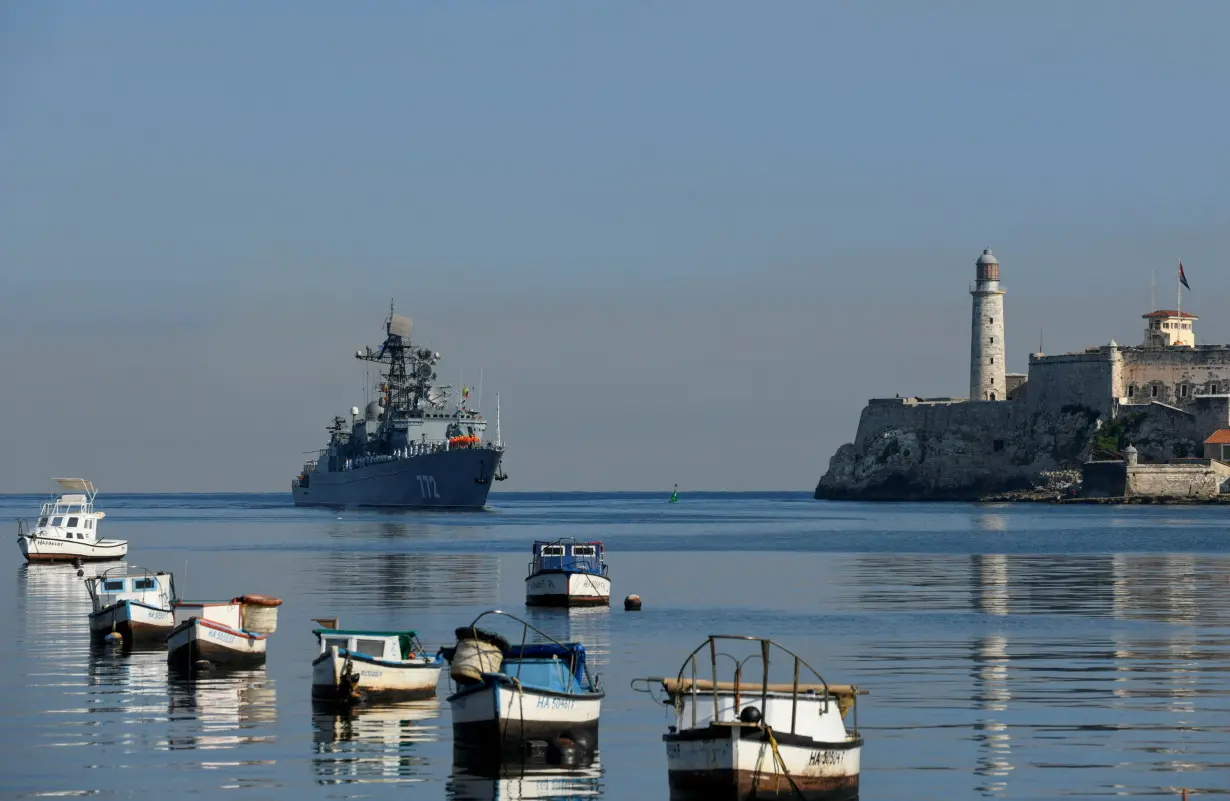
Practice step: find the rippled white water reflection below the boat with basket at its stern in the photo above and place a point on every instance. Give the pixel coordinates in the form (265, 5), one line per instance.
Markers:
(224, 709)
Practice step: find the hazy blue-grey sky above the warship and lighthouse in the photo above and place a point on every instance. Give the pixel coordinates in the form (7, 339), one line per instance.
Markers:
(684, 242)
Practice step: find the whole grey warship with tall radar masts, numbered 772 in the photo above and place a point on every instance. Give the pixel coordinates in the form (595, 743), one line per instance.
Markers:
(414, 447)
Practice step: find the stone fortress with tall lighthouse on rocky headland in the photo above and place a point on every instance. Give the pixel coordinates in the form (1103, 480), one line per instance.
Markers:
(1168, 399)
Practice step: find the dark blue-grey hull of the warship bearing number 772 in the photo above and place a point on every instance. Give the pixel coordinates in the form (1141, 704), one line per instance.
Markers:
(447, 480)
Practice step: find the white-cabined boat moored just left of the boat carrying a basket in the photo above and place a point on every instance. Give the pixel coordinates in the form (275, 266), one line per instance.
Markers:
(133, 604)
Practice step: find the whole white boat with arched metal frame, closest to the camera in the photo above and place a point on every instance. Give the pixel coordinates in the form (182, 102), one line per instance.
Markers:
(795, 743)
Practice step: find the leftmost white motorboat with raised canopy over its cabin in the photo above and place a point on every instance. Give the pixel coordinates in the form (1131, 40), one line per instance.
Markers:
(68, 528)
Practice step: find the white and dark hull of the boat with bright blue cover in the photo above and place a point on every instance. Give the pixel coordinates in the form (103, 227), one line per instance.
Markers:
(502, 715)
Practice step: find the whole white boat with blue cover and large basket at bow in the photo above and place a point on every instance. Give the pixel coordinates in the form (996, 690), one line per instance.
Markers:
(511, 696)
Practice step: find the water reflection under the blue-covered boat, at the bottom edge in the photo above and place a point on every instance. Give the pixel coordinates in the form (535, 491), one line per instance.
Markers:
(523, 781)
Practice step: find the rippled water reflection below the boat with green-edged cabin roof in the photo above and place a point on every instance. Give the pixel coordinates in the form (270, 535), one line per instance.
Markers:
(357, 745)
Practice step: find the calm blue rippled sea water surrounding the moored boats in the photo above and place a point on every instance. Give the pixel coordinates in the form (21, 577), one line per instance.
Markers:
(1012, 652)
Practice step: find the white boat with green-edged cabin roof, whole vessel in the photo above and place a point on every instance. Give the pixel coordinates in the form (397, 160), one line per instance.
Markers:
(356, 665)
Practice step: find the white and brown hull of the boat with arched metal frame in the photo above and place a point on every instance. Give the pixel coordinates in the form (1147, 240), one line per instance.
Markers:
(739, 762)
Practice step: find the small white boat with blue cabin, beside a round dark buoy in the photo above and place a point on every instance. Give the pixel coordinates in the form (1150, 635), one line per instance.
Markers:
(569, 573)
